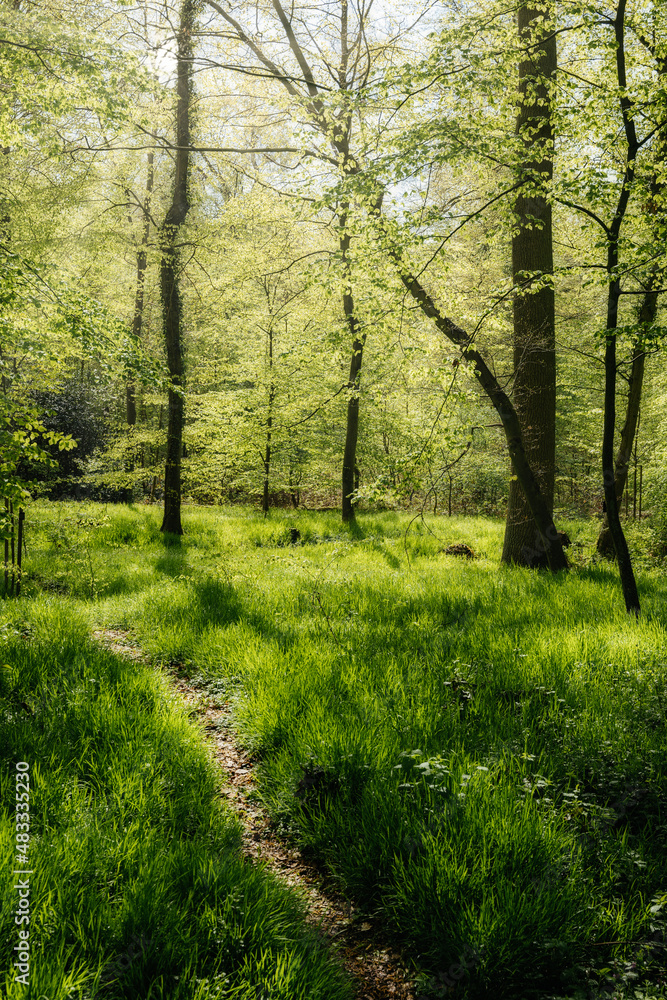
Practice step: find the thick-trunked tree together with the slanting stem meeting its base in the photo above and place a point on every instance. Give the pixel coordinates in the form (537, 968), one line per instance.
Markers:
(533, 264)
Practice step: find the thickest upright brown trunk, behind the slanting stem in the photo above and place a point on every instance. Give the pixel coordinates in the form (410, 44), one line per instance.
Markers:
(534, 318)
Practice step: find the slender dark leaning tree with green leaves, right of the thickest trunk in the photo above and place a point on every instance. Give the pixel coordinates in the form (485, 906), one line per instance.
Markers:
(623, 120)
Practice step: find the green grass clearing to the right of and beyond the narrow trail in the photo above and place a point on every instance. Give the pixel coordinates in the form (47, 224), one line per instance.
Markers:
(475, 752)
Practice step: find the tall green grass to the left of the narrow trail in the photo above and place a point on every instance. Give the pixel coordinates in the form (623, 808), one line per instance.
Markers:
(138, 888)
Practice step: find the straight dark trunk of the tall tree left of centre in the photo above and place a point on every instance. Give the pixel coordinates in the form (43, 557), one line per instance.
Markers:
(170, 292)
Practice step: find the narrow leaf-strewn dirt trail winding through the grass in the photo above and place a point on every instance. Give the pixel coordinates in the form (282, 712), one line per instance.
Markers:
(374, 966)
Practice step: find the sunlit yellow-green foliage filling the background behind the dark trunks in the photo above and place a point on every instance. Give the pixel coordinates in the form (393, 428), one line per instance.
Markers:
(433, 126)
